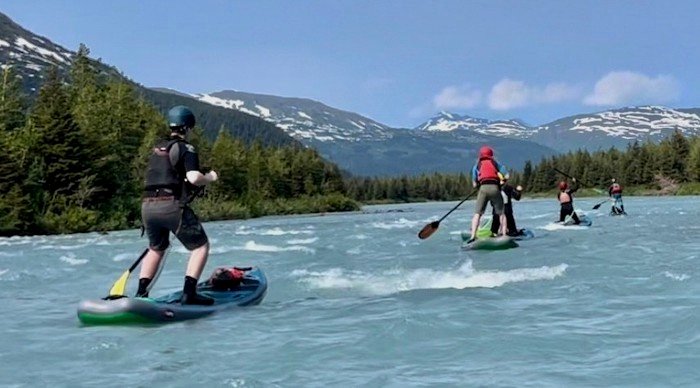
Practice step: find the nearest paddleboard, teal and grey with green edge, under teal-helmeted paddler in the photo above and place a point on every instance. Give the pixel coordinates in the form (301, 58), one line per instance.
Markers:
(167, 308)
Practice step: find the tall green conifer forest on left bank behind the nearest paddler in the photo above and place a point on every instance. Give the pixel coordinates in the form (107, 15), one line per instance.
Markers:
(73, 159)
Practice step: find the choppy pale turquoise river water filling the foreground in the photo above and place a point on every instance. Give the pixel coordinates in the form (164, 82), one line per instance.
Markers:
(357, 299)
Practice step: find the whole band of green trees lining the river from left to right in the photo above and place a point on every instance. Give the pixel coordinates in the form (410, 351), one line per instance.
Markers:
(74, 157)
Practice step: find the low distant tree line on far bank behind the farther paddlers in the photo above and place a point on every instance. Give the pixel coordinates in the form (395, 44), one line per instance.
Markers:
(669, 167)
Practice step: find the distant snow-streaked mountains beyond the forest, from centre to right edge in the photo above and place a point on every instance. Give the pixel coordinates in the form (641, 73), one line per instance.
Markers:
(448, 141)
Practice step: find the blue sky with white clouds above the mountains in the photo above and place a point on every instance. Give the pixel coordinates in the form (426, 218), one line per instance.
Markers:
(399, 61)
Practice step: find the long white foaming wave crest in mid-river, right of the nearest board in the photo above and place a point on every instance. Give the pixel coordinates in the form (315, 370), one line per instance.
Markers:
(389, 282)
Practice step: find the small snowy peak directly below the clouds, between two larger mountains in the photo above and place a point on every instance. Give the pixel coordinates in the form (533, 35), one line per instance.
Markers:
(448, 122)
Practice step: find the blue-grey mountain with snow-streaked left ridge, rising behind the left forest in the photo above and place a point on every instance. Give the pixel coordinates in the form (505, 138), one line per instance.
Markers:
(366, 147)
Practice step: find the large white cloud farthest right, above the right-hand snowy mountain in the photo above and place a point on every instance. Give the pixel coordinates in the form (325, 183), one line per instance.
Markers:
(627, 87)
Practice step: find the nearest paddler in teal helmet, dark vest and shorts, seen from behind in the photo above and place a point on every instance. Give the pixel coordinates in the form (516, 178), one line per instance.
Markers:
(172, 175)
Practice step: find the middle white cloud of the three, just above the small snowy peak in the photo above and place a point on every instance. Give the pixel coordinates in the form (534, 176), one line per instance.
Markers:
(509, 94)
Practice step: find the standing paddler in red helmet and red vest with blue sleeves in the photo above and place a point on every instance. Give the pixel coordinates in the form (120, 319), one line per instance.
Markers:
(487, 174)
